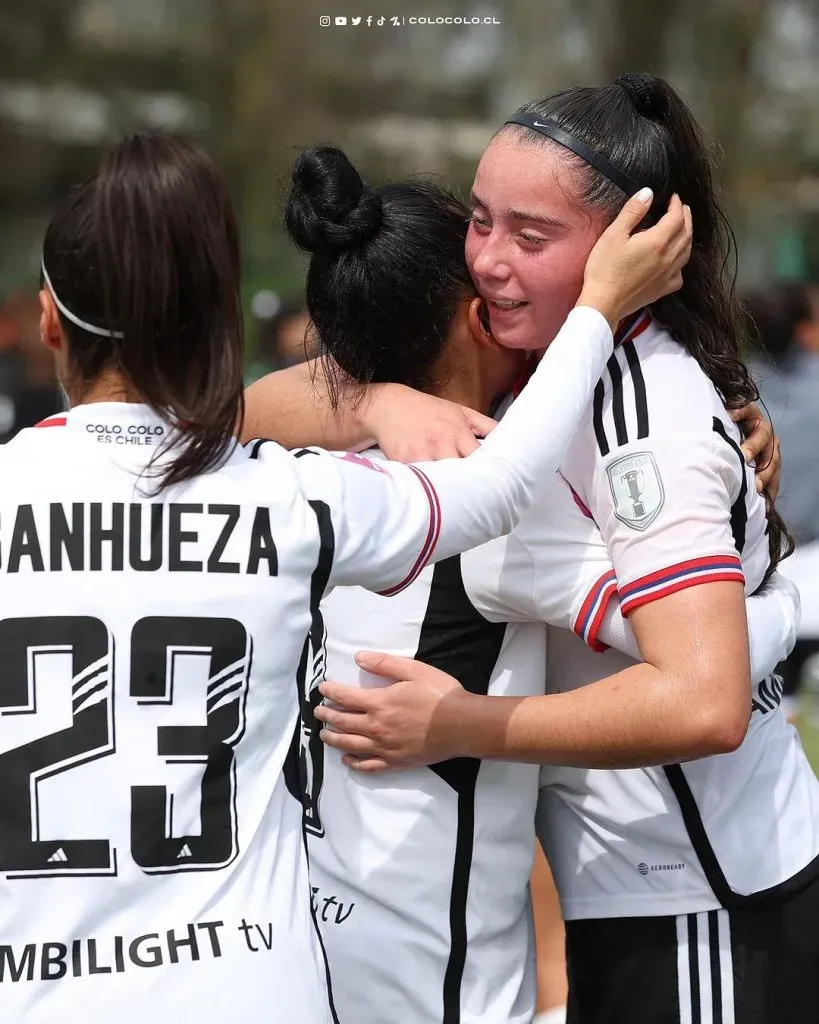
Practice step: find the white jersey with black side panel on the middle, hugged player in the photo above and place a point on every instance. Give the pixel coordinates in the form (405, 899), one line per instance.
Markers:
(421, 878)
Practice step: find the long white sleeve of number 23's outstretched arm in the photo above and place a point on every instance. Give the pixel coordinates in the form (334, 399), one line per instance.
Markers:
(391, 521)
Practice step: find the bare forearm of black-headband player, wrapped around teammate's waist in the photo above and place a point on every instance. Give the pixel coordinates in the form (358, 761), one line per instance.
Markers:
(633, 719)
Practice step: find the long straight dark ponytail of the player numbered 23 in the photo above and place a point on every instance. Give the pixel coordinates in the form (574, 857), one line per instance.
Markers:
(149, 247)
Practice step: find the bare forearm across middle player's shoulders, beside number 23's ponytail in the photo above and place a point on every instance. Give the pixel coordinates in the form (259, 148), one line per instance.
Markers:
(294, 408)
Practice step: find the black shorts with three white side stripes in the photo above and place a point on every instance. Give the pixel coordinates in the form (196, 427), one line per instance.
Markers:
(724, 967)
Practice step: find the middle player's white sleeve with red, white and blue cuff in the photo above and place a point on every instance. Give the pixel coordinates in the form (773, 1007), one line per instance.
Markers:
(554, 569)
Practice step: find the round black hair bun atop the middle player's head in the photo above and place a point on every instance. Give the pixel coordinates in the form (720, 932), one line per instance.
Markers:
(330, 208)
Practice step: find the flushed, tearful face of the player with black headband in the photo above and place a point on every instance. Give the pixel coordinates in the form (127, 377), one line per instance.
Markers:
(529, 240)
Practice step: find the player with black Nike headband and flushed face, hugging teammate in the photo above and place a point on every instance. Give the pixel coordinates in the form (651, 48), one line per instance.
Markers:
(668, 876)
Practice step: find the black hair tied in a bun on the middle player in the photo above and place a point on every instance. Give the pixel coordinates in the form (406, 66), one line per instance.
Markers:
(386, 274)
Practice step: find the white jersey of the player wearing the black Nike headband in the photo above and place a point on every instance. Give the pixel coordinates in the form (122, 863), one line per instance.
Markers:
(658, 464)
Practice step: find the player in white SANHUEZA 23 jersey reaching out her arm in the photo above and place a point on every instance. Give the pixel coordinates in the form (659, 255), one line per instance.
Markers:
(161, 582)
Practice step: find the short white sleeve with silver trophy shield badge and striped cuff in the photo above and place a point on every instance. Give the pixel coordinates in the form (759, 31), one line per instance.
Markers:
(668, 508)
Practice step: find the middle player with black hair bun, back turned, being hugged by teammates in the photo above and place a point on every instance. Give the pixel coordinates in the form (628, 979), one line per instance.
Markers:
(421, 887)
